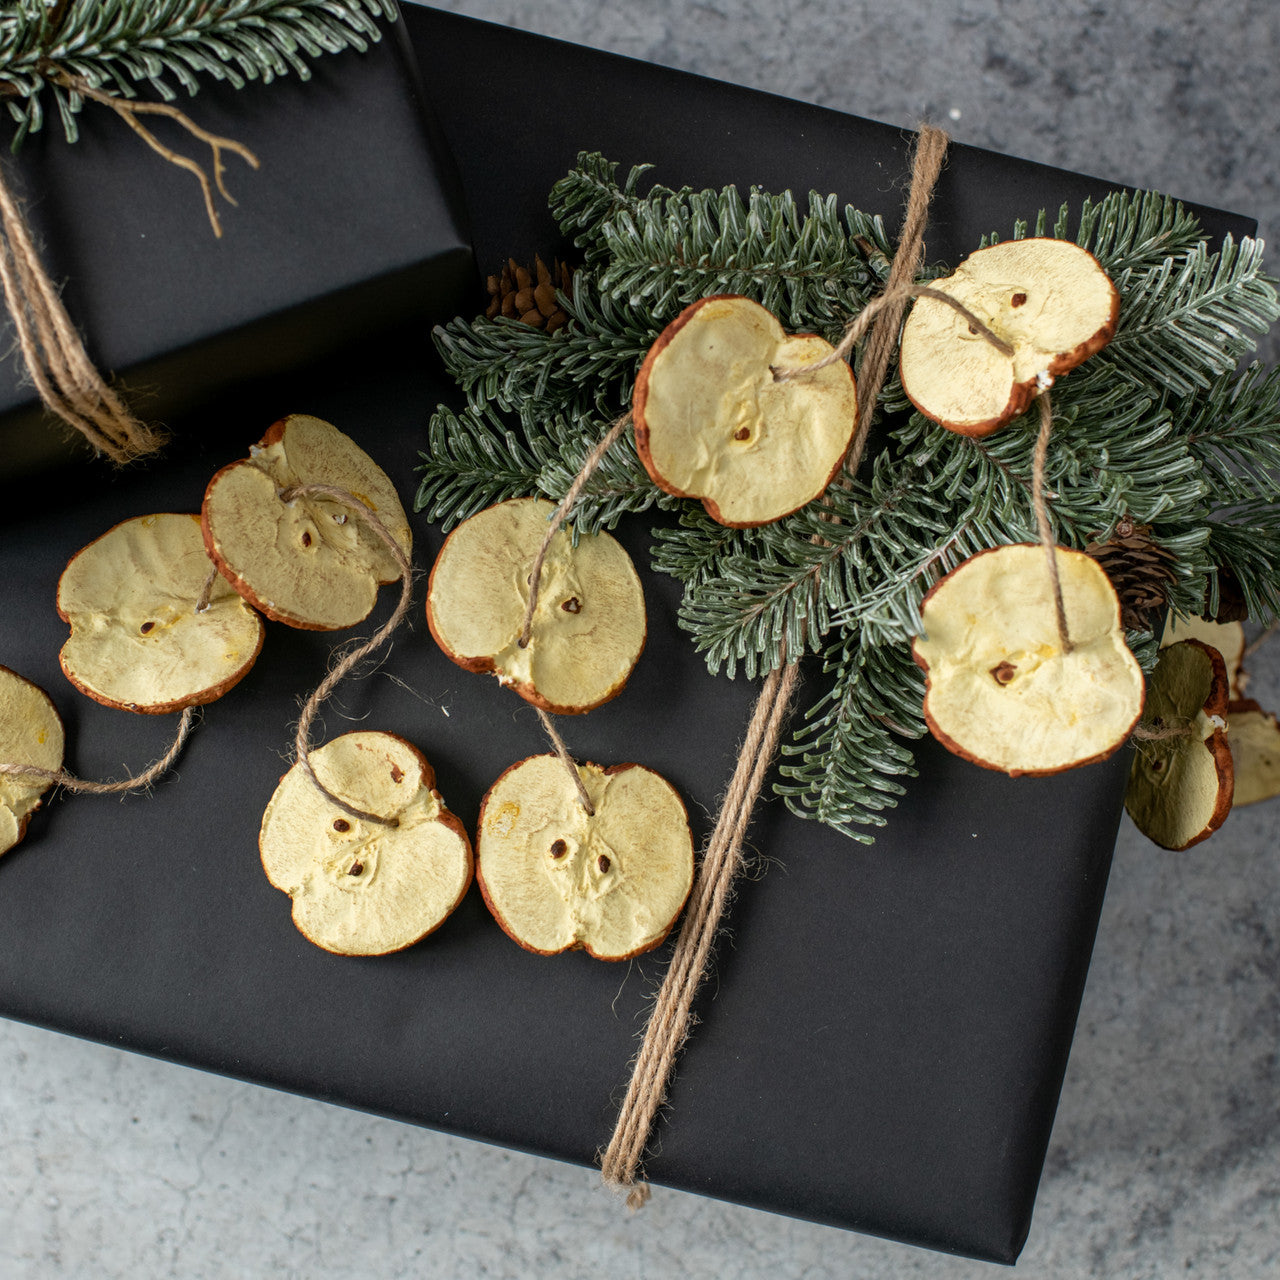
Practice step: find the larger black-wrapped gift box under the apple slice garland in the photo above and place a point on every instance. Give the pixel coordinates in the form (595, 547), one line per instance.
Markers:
(885, 1039)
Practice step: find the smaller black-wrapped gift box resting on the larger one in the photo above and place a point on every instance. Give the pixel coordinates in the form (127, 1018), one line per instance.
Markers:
(350, 228)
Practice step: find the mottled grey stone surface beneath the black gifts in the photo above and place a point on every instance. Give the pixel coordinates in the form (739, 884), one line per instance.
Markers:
(1167, 1153)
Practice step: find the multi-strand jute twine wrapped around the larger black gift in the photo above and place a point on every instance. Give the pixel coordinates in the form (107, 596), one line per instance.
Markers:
(670, 1020)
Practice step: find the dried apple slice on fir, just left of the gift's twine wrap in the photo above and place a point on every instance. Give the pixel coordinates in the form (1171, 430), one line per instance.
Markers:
(714, 423)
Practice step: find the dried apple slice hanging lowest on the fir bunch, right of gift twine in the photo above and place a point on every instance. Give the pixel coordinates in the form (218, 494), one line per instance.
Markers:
(1000, 691)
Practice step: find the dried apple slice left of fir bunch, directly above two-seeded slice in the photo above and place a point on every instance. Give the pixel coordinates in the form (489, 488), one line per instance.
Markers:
(589, 624)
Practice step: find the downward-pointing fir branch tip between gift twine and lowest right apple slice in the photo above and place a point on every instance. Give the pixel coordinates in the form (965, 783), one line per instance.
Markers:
(849, 761)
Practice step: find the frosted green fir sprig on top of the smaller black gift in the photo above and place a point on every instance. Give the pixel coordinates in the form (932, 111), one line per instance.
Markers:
(163, 45)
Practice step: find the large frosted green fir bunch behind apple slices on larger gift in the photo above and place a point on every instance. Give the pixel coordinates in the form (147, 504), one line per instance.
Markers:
(1158, 428)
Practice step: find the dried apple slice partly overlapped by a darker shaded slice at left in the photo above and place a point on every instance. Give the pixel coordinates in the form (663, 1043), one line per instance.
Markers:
(138, 642)
